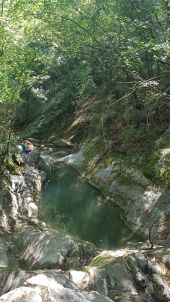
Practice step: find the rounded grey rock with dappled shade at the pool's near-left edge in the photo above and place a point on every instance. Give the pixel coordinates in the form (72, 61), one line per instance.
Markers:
(51, 249)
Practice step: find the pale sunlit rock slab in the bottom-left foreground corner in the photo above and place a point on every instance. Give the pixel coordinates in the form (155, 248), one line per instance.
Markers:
(49, 286)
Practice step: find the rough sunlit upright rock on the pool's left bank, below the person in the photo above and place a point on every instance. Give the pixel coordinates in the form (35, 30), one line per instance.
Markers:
(19, 200)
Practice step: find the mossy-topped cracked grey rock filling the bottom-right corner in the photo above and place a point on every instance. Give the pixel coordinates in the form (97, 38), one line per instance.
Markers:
(126, 278)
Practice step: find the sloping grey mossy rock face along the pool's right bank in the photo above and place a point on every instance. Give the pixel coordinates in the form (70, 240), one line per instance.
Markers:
(141, 202)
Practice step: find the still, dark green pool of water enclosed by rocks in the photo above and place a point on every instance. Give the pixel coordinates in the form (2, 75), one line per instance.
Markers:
(73, 205)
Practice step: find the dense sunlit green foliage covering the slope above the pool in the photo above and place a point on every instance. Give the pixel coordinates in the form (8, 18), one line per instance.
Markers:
(111, 56)
